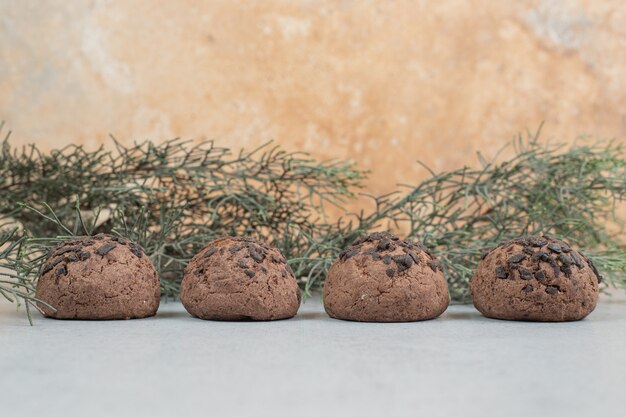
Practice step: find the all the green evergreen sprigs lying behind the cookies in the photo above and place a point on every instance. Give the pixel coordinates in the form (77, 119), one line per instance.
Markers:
(175, 197)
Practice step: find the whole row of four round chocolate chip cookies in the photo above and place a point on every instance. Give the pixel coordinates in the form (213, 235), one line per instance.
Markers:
(378, 278)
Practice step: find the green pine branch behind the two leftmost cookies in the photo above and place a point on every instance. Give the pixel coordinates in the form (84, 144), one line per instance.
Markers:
(171, 198)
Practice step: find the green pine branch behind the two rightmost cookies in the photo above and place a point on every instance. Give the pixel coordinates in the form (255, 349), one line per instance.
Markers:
(569, 192)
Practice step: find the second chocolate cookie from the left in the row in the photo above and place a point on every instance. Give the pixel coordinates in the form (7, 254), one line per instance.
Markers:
(237, 278)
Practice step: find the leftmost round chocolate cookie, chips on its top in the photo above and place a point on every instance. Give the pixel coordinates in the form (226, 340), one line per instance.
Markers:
(98, 277)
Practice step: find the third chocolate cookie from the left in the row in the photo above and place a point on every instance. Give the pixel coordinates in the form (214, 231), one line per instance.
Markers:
(380, 278)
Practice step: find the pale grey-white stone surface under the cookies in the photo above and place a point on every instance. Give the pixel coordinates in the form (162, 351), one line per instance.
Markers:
(175, 365)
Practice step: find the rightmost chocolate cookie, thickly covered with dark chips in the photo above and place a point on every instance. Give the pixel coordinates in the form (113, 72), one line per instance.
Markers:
(537, 279)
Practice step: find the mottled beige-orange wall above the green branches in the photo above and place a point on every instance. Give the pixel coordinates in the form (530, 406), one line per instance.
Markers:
(381, 82)
